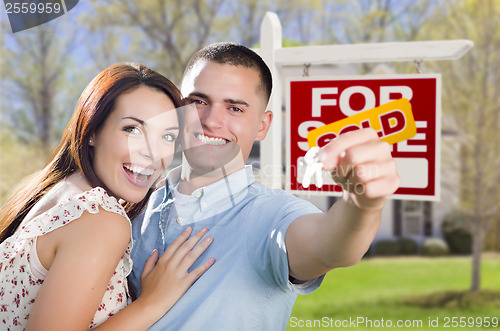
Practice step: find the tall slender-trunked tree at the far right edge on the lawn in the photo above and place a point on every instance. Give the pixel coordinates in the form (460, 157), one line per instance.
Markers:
(472, 107)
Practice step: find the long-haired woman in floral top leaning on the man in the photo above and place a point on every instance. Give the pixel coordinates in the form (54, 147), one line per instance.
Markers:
(66, 241)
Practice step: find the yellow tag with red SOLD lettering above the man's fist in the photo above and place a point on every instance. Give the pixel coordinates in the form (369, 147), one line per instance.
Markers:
(393, 122)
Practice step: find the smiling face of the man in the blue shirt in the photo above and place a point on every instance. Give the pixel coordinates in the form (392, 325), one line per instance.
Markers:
(229, 115)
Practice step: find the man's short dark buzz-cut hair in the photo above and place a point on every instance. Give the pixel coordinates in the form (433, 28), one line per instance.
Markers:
(236, 55)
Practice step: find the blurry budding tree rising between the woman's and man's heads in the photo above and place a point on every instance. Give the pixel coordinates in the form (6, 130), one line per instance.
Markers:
(162, 34)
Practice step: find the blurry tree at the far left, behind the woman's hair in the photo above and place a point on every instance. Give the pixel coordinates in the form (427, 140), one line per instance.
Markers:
(33, 67)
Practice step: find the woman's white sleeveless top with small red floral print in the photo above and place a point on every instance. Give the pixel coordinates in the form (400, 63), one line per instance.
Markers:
(19, 287)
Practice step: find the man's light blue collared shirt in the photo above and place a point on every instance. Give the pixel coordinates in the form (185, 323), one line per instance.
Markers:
(248, 287)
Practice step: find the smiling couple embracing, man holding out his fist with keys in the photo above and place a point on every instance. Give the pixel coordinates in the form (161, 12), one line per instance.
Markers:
(269, 246)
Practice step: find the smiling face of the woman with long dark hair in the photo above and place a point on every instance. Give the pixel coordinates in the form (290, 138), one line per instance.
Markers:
(136, 143)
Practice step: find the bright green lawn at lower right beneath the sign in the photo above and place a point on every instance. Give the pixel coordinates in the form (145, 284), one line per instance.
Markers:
(373, 293)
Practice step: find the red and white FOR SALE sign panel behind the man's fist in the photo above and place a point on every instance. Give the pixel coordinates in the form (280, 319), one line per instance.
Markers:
(315, 102)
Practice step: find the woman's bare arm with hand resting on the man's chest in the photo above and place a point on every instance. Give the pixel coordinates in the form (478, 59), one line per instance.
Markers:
(87, 252)
